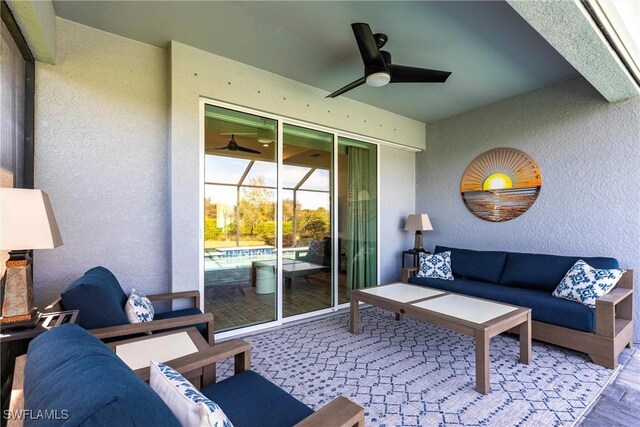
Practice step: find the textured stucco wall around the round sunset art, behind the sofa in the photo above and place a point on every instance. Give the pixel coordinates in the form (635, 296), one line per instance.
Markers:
(589, 154)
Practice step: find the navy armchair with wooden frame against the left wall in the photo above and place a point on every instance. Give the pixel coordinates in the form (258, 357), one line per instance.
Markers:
(100, 299)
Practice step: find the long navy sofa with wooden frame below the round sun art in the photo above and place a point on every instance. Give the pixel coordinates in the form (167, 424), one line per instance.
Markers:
(528, 280)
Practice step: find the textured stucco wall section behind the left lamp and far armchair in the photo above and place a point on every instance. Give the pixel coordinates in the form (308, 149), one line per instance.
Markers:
(101, 154)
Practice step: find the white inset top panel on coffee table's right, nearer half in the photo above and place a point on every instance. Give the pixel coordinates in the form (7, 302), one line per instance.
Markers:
(467, 308)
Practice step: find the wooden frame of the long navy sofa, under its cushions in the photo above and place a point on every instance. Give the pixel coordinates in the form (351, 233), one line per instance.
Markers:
(614, 325)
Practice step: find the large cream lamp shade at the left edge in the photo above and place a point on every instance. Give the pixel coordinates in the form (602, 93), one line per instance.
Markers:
(27, 220)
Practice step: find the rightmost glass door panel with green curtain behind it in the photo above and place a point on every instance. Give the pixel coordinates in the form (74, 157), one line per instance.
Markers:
(357, 216)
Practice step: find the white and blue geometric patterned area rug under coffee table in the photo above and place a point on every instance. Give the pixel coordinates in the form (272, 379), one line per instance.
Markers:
(409, 373)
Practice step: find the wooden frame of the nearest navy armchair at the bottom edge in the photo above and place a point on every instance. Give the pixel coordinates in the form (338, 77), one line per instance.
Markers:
(340, 412)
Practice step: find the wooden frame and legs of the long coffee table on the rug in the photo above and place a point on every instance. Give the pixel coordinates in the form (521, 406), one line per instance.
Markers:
(482, 332)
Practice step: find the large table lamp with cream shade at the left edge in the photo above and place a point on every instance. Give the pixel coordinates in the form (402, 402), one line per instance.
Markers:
(26, 223)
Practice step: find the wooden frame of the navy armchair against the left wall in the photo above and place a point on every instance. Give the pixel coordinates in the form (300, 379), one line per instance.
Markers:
(154, 325)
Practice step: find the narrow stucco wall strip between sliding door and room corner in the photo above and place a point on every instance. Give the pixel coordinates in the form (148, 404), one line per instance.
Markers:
(397, 200)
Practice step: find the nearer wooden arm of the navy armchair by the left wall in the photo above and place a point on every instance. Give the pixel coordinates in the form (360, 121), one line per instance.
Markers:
(156, 325)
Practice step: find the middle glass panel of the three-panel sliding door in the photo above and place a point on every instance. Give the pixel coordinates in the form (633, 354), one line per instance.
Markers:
(307, 170)
